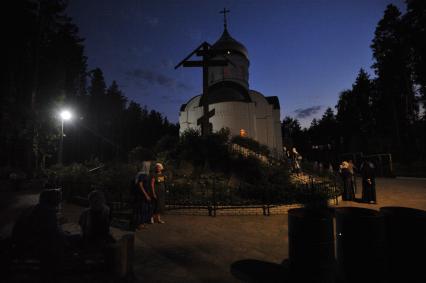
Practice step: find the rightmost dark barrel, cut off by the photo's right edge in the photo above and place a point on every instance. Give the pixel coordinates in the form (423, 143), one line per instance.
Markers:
(405, 243)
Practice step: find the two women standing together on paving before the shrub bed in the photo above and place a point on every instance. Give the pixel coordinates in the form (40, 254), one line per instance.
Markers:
(149, 195)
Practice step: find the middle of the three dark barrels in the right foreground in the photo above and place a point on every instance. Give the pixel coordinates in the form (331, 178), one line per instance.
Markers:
(360, 234)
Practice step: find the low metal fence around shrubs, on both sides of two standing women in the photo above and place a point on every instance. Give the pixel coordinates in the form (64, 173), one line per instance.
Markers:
(214, 196)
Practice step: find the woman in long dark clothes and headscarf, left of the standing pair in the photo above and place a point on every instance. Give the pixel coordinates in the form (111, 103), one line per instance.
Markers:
(142, 197)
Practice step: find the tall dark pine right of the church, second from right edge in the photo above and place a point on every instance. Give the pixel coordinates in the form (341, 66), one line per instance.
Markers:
(395, 105)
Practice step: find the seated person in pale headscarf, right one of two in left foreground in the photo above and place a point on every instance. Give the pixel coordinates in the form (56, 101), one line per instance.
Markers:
(95, 221)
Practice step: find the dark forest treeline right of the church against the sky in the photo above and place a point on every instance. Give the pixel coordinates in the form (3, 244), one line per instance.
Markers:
(384, 114)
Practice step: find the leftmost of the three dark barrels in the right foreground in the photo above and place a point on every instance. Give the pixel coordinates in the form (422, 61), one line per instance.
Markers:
(311, 244)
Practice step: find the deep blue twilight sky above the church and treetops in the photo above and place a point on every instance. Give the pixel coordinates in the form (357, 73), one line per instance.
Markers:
(303, 51)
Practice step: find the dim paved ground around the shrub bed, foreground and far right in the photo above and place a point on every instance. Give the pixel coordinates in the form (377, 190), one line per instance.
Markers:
(201, 248)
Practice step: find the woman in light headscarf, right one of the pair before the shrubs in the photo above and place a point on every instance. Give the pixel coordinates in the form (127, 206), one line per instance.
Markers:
(159, 193)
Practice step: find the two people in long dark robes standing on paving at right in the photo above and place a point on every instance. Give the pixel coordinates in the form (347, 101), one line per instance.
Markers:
(347, 171)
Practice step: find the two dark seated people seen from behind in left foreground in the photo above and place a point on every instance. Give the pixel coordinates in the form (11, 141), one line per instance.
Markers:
(38, 233)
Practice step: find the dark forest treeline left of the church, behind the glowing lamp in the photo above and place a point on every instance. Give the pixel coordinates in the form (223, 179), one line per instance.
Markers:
(46, 70)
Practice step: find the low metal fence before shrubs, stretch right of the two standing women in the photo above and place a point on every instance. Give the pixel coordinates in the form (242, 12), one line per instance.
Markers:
(216, 197)
